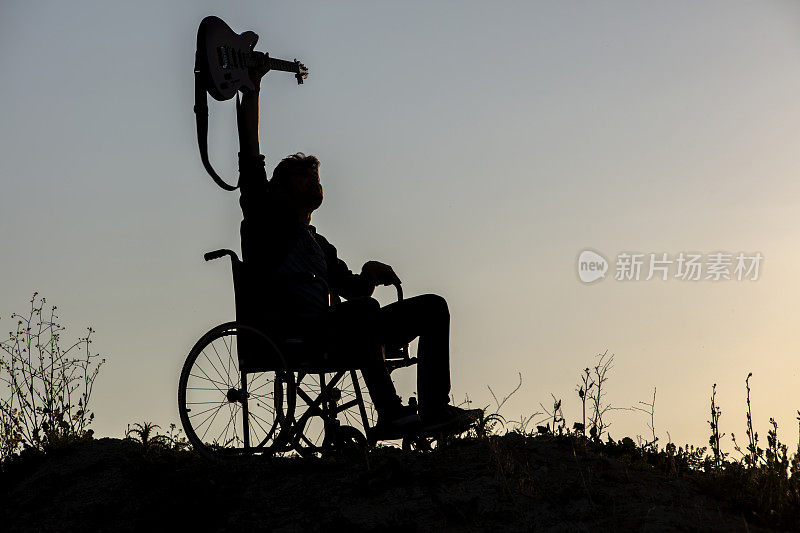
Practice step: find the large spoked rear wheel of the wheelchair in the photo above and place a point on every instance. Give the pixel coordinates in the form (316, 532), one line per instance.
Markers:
(227, 411)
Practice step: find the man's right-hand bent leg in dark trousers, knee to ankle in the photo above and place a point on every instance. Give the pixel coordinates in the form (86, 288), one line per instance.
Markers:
(428, 317)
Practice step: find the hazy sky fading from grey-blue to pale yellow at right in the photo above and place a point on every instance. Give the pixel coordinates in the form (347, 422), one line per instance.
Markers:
(476, 147)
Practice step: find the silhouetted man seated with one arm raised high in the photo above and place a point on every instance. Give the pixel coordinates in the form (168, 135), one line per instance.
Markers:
(301, 269)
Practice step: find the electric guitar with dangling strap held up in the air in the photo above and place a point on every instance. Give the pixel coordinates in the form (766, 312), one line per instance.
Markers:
(222, 62)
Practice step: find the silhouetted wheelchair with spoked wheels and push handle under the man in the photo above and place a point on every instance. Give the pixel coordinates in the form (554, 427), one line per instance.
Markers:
(246, 390)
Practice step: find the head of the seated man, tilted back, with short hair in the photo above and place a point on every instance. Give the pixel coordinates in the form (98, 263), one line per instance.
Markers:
(296, 180)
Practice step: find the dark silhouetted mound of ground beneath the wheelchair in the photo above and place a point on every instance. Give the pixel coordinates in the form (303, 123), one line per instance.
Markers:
(505, 483)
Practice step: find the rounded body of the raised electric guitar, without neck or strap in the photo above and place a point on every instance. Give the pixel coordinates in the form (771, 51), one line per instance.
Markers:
(222, 58)
